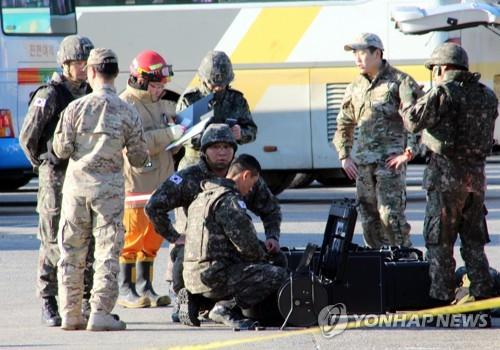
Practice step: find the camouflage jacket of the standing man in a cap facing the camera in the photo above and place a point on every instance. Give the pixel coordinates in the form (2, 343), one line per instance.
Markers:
(373, 107)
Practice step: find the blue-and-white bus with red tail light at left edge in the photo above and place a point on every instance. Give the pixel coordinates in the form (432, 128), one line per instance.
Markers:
(31, 33)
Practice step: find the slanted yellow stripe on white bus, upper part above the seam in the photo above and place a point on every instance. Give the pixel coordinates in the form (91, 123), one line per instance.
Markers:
(274, 34)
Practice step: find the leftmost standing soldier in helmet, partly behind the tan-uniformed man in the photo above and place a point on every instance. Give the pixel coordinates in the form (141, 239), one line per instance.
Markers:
(36, 140)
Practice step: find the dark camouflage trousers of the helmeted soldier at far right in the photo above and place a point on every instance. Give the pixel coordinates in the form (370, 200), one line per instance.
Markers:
(449, 214)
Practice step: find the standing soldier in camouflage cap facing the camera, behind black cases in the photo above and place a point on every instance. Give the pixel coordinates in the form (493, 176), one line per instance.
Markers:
(371, 103)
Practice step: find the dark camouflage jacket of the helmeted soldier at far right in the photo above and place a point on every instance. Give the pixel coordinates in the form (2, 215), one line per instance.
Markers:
(458, 119)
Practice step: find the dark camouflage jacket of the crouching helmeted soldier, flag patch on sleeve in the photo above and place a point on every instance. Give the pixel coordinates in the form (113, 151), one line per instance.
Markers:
(180, 190)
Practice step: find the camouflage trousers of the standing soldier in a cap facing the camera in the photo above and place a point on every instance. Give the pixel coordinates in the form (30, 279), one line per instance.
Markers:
(381, 196)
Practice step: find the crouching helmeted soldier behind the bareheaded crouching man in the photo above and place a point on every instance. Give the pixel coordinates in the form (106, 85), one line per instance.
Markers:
(178, 191)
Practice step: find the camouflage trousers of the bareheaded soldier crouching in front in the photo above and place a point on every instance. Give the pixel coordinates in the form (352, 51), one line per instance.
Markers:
(247, 283)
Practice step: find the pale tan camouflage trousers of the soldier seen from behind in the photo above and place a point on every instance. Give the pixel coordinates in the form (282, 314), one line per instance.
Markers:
(84, 218)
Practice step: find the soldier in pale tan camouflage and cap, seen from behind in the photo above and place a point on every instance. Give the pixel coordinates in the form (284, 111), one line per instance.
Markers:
(95, 132)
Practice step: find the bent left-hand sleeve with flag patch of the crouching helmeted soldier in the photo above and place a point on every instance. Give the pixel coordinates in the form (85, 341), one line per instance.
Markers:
(170, 195)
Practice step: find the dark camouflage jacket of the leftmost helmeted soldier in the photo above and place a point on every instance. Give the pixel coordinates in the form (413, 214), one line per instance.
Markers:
(43, 114)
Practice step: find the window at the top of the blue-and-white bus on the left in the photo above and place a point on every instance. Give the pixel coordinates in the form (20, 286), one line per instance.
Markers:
(41, 17)
